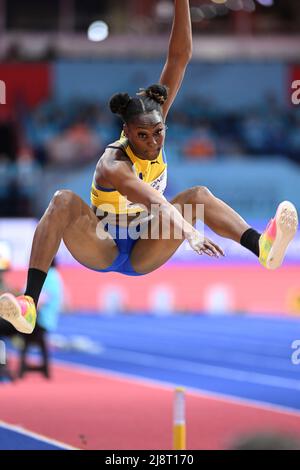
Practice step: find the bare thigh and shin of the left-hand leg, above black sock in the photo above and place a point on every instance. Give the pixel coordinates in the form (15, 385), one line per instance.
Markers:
(70, 219)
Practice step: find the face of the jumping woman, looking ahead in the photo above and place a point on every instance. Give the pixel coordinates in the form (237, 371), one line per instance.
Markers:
(146, 135)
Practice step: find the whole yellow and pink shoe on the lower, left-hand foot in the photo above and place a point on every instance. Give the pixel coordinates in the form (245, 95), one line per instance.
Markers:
(19, 311)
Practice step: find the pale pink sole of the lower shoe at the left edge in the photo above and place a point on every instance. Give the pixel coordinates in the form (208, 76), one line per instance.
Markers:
(10, 311)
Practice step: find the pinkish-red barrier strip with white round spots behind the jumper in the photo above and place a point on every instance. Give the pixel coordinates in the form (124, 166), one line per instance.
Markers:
(237, 288)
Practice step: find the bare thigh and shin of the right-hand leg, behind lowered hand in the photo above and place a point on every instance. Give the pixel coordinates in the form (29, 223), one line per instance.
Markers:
(149, 254)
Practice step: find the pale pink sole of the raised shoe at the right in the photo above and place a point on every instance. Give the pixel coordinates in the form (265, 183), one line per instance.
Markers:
(286, 228)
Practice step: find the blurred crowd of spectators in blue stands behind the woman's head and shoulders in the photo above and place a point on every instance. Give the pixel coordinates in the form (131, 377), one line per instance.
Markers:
(70, 135)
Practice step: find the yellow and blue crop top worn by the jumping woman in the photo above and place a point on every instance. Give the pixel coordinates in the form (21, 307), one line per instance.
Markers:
(151, 172)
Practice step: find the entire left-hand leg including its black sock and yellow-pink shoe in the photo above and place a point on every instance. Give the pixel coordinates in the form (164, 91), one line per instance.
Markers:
(67, 218)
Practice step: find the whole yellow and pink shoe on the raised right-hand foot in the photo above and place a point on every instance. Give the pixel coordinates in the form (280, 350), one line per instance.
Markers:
(275, 239)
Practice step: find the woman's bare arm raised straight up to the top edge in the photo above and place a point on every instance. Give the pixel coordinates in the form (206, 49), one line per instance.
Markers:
(179, 52)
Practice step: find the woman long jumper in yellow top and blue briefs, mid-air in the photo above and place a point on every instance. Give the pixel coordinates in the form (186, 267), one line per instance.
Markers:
(124, 230)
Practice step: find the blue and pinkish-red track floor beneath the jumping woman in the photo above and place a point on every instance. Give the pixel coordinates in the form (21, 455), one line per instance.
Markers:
(113, 378)
